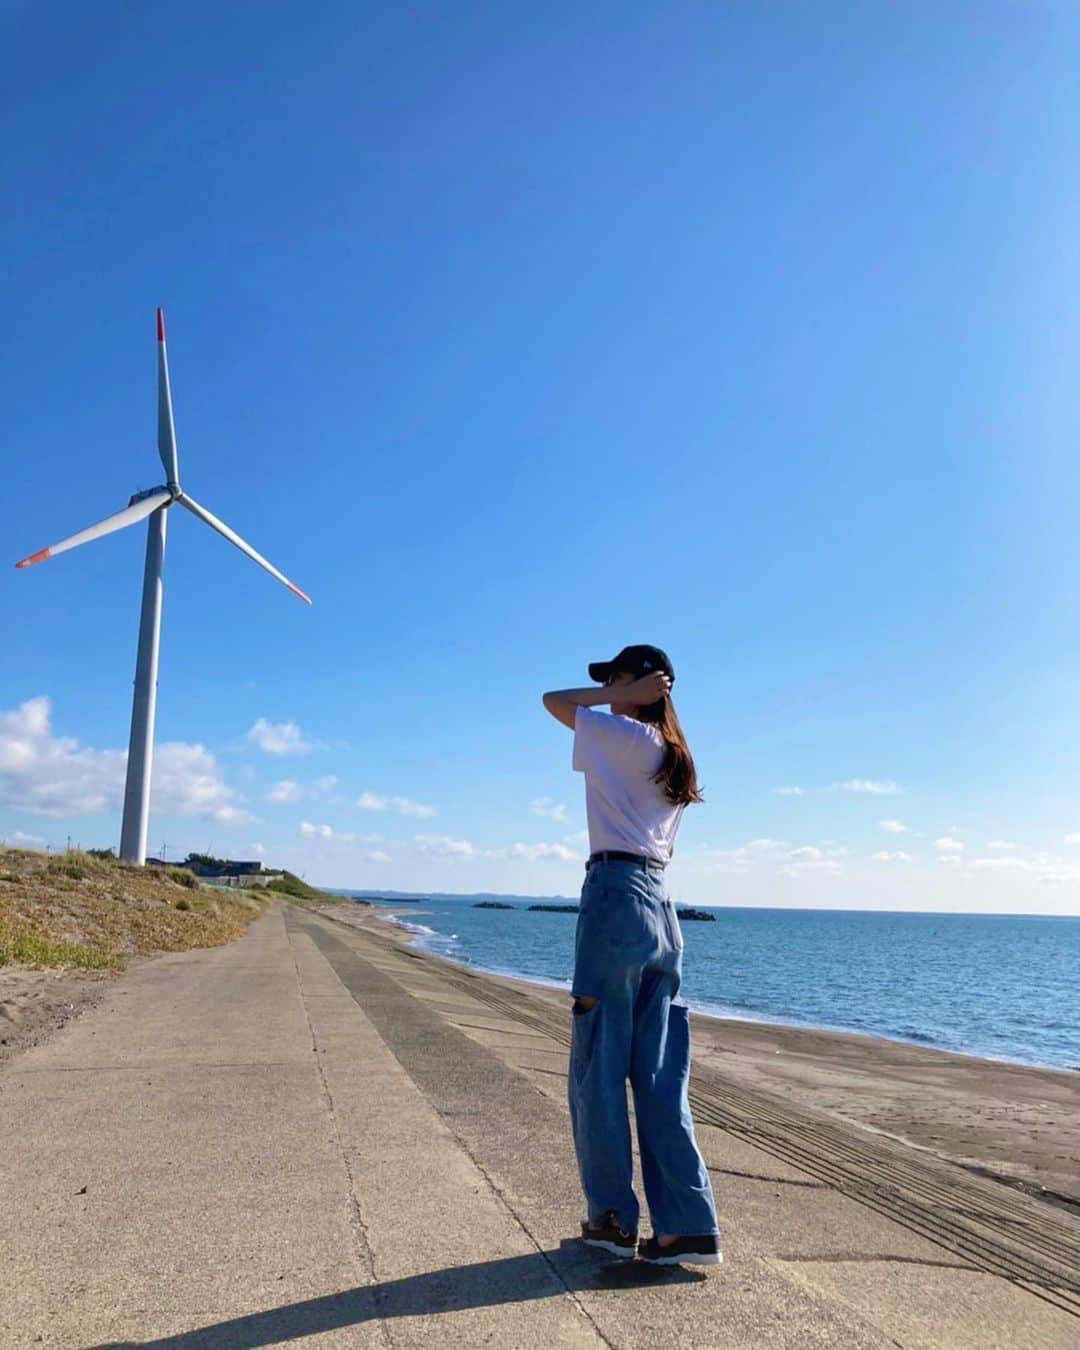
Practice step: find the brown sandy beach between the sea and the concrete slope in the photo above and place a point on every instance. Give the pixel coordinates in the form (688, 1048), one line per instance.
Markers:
(1019, 1124)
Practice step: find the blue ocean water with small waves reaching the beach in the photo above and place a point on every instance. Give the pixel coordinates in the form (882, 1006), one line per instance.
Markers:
(1001, 988)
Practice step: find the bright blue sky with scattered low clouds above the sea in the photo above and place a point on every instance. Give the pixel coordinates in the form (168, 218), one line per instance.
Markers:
(518, 334)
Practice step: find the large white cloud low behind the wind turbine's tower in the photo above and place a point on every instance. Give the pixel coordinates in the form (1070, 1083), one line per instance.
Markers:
(55, 776)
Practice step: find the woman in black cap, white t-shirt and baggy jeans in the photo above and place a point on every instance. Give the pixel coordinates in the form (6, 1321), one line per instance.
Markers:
(639, 776)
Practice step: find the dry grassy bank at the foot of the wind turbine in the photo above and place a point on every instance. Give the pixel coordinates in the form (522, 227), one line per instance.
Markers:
(75, 911)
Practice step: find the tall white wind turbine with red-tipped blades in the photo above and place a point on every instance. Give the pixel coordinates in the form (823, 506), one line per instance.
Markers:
(155, 503)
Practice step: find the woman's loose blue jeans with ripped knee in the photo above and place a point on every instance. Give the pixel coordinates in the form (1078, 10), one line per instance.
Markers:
(628, 956)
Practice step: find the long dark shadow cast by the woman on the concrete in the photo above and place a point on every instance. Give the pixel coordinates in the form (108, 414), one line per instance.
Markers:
(543, 1275)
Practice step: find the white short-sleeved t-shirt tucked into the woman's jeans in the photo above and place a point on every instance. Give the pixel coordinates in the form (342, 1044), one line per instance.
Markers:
(626, 809)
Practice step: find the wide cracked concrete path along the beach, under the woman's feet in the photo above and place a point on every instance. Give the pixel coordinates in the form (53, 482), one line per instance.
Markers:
(318, 1137)
